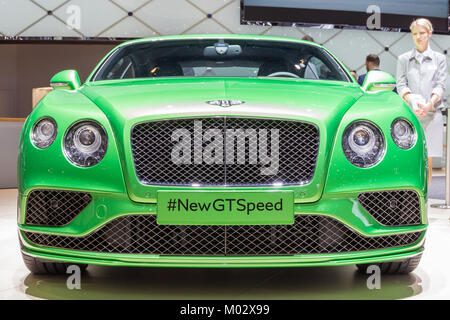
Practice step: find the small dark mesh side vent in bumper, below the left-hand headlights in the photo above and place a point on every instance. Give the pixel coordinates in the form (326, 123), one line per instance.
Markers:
(55, 207)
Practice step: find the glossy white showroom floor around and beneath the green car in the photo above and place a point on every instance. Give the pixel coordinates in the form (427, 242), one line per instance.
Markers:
(430, 281)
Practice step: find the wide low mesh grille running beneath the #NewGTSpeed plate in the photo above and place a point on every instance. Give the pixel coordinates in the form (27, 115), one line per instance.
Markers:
(140, 234)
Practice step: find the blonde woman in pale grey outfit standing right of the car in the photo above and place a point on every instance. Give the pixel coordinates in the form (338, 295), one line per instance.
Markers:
(421, 77)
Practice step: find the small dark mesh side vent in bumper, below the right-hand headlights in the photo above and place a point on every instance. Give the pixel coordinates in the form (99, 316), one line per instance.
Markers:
(392, 208)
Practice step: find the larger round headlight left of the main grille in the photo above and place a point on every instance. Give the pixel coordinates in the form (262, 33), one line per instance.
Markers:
(85, 143)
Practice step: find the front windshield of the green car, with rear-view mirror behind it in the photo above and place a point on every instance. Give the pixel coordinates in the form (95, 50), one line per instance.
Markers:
(221, 58)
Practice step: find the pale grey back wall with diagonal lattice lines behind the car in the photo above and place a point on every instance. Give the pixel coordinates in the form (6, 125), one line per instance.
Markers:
(111, 19)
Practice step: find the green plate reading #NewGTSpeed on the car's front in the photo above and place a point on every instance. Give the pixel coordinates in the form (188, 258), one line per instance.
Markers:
(225, 208)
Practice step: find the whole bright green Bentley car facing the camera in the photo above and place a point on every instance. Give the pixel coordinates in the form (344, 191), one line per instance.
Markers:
(222, 151)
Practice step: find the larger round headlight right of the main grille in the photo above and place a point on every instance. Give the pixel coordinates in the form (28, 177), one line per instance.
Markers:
(363, 144)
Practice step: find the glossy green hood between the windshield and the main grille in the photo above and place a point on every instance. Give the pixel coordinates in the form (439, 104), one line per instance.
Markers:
(136, 100)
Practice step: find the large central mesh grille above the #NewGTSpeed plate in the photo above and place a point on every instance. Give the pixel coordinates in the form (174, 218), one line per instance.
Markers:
(215, 151)
